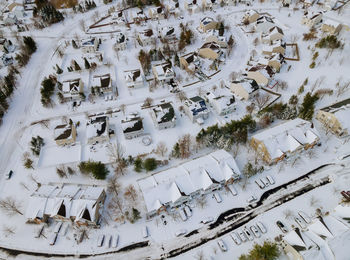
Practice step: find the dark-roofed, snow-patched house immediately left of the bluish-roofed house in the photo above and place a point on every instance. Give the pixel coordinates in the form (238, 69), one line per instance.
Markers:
(163, 116)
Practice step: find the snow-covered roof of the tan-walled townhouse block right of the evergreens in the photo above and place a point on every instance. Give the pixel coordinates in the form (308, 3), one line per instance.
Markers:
(287, 137)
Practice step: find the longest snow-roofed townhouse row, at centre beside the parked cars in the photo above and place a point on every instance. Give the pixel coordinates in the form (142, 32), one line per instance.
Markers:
(170, 189)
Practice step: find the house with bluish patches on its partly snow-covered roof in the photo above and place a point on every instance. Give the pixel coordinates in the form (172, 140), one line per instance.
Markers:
(196, 109)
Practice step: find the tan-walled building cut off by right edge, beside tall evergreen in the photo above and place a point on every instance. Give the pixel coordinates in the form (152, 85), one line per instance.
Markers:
(335, 118)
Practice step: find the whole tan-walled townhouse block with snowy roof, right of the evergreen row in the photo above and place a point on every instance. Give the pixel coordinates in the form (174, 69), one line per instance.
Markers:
(278, 142)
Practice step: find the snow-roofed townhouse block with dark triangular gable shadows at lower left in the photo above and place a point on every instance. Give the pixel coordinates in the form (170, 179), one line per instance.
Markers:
(80, 204)
